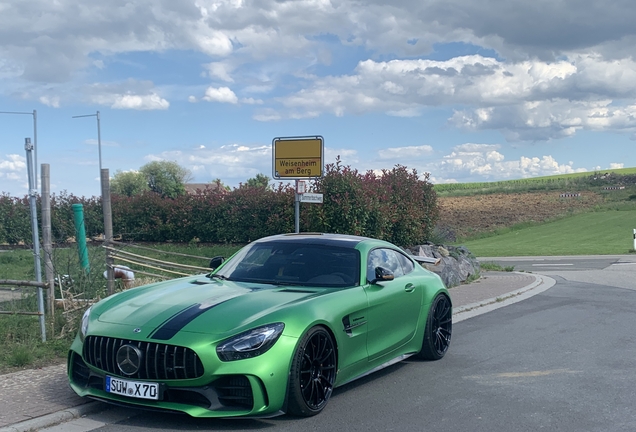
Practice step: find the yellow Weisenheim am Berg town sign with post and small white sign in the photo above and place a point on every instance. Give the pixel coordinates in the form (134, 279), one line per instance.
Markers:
(298, 158)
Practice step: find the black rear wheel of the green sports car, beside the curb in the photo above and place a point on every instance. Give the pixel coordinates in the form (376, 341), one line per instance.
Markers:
(439, 327)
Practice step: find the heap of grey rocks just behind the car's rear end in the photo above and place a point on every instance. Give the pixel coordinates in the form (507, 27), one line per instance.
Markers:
(456, 265)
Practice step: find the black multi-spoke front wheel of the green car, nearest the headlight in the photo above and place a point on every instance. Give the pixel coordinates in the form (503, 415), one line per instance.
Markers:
(312, 374)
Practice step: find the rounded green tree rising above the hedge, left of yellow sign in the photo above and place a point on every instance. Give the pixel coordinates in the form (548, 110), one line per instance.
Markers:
(166, 178)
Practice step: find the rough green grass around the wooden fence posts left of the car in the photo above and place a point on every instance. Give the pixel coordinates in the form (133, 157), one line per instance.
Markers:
(20, 340)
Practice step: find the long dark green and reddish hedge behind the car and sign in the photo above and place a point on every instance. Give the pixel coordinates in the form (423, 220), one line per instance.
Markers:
(396, 205)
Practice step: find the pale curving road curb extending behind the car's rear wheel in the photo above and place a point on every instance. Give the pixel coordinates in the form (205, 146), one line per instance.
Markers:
(541, 283)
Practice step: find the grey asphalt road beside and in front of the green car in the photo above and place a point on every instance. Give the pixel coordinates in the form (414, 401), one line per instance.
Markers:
(562, 360)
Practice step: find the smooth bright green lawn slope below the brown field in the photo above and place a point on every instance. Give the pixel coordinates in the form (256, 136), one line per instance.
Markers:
(594, 233)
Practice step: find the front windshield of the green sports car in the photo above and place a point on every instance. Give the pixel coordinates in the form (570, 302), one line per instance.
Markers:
(289, 263)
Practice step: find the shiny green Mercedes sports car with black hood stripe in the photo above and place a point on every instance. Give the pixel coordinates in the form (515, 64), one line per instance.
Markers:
(272, 330)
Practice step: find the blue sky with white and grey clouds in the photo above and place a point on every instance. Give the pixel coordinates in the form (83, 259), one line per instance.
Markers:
(466, 91)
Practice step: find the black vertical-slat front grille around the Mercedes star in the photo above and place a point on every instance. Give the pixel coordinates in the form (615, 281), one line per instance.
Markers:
(158, 362)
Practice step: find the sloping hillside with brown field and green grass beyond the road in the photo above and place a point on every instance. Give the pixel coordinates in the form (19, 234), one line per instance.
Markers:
(560, 215)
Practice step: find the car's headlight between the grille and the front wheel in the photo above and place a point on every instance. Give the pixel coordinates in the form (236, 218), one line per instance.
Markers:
(251, 343)
